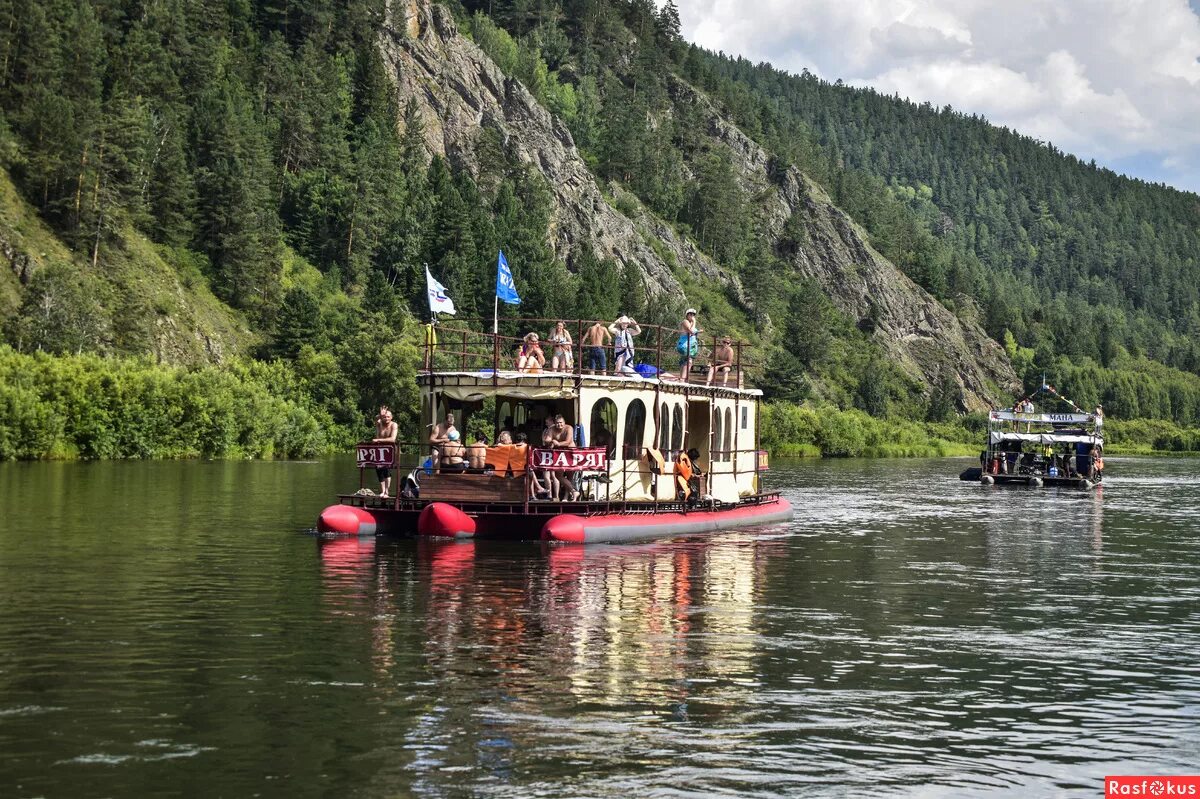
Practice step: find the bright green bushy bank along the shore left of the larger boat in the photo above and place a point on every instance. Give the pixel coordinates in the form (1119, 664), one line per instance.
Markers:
(89, 407)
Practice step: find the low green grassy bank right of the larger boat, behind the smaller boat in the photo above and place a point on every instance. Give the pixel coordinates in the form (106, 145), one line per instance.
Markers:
(802, 431)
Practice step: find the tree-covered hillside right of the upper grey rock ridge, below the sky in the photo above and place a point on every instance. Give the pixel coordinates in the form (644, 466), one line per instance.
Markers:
(1083, 275)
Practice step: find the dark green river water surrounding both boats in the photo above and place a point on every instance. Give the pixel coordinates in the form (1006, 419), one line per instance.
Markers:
(171, 629)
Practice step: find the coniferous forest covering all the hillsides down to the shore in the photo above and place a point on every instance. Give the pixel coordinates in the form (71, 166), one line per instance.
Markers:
(237, 183)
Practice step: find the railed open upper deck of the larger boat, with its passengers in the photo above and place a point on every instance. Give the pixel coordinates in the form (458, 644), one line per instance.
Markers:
(460, 353)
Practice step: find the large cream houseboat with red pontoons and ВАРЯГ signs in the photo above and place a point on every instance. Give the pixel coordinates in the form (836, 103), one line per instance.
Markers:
(616, 468)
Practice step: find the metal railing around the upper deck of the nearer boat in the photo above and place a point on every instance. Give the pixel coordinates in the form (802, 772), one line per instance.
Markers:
(466, 346)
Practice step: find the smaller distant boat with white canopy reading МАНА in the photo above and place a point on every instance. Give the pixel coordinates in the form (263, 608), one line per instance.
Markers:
(1042, 449)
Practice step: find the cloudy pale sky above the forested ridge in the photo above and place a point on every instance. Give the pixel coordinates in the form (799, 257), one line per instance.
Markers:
(1118, 81)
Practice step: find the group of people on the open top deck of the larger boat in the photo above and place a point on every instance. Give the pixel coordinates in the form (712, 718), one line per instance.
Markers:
(531, 356)
